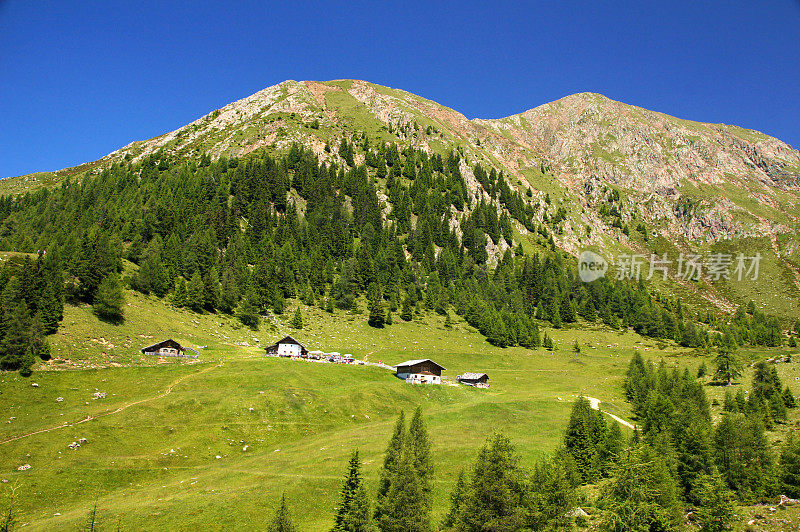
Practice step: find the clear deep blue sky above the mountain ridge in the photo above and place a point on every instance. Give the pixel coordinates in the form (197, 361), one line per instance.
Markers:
(80, 79)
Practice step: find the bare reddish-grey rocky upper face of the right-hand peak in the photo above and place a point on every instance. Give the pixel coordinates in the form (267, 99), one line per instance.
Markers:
(646, 151)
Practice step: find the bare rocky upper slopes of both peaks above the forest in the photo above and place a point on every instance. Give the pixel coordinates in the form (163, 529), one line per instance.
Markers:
(608, 168)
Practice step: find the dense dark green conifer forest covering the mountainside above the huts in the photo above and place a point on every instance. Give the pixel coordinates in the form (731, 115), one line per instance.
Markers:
(241, 236)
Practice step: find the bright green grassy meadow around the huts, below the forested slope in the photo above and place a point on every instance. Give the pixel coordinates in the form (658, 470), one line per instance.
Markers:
(166, 446)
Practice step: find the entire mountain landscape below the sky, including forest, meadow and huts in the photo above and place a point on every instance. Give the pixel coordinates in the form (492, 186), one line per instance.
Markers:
(341, 306)
